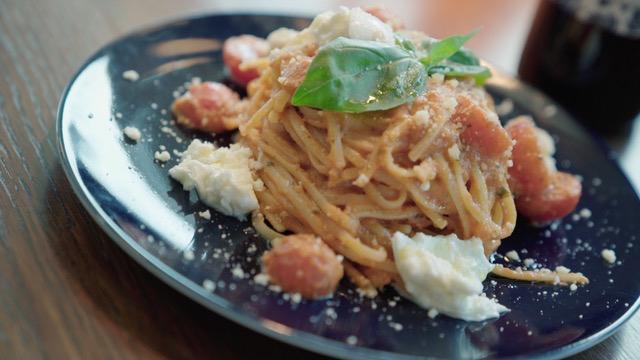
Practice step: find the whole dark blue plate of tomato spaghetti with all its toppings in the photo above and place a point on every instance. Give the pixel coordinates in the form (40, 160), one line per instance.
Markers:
(352, 187)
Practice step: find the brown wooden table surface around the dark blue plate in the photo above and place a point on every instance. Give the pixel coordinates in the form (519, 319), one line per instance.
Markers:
(66, 290)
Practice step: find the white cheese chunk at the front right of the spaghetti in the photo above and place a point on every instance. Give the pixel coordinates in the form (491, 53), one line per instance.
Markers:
(446, 274)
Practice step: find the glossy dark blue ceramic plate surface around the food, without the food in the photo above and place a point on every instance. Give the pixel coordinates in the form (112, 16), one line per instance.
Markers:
(156, 222)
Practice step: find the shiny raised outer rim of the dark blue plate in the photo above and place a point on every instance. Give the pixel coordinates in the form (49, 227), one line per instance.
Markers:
(228, 310)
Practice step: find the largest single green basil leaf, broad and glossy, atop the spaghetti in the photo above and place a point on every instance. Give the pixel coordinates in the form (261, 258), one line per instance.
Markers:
(350, 75)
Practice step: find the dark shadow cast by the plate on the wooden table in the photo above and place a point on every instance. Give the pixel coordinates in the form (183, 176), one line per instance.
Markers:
(139, 304)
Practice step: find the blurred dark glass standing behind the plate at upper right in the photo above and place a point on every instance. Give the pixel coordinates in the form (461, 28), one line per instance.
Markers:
(591, 70)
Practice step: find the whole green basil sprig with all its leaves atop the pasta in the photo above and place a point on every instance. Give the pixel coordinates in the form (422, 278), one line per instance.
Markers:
(355, 76)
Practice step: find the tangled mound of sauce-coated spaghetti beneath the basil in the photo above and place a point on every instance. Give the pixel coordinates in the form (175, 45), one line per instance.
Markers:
(355, 179)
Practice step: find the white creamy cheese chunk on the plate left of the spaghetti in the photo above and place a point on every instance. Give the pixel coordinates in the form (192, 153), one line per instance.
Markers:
(221, 176)
